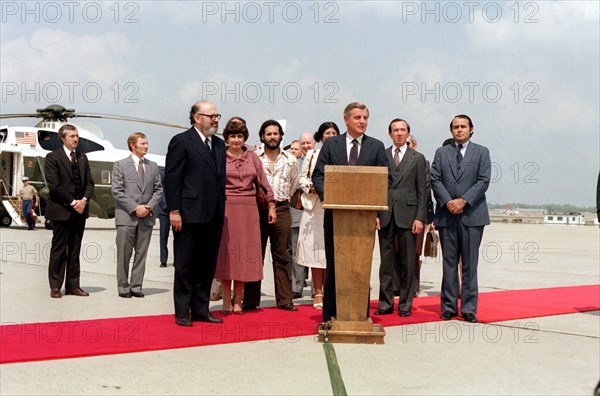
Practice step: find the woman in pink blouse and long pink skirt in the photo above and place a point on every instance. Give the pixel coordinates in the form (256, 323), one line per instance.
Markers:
(240, 258)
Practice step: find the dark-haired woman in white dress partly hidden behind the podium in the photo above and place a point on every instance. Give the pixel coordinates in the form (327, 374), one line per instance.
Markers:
(310, 251)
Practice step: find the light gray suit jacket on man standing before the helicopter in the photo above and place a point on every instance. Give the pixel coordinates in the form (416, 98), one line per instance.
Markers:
(128, 194)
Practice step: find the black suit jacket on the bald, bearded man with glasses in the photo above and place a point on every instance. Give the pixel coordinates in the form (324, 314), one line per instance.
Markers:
(194, 179)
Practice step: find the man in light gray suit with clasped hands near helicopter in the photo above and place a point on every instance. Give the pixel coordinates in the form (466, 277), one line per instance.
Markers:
(137, 189)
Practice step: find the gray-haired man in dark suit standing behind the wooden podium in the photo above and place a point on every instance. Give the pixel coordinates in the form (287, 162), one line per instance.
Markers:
(351, 148)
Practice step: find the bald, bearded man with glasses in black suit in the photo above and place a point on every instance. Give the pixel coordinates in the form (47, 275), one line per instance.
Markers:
(195, 193)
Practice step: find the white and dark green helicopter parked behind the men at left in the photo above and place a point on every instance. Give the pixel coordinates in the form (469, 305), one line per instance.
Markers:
(24, 150)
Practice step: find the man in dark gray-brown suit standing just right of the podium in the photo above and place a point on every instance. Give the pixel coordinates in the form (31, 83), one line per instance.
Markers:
(407, 203)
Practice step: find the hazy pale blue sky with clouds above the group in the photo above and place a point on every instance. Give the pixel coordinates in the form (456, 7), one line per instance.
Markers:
(526, 72)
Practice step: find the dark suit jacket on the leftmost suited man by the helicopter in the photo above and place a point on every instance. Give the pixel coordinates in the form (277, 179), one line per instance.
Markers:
(60, 182)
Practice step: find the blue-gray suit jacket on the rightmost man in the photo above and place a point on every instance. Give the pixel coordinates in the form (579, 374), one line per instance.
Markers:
(470, 182)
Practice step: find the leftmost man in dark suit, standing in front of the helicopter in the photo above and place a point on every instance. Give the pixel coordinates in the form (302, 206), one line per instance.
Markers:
(70, 186)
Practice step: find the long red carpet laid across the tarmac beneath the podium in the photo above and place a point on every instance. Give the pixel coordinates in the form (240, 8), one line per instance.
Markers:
(63, 340)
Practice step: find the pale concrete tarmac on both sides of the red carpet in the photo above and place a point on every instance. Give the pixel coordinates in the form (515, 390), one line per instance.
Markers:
(556, 355)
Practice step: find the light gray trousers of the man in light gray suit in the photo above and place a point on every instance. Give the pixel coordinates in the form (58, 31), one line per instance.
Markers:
(130, 239)
